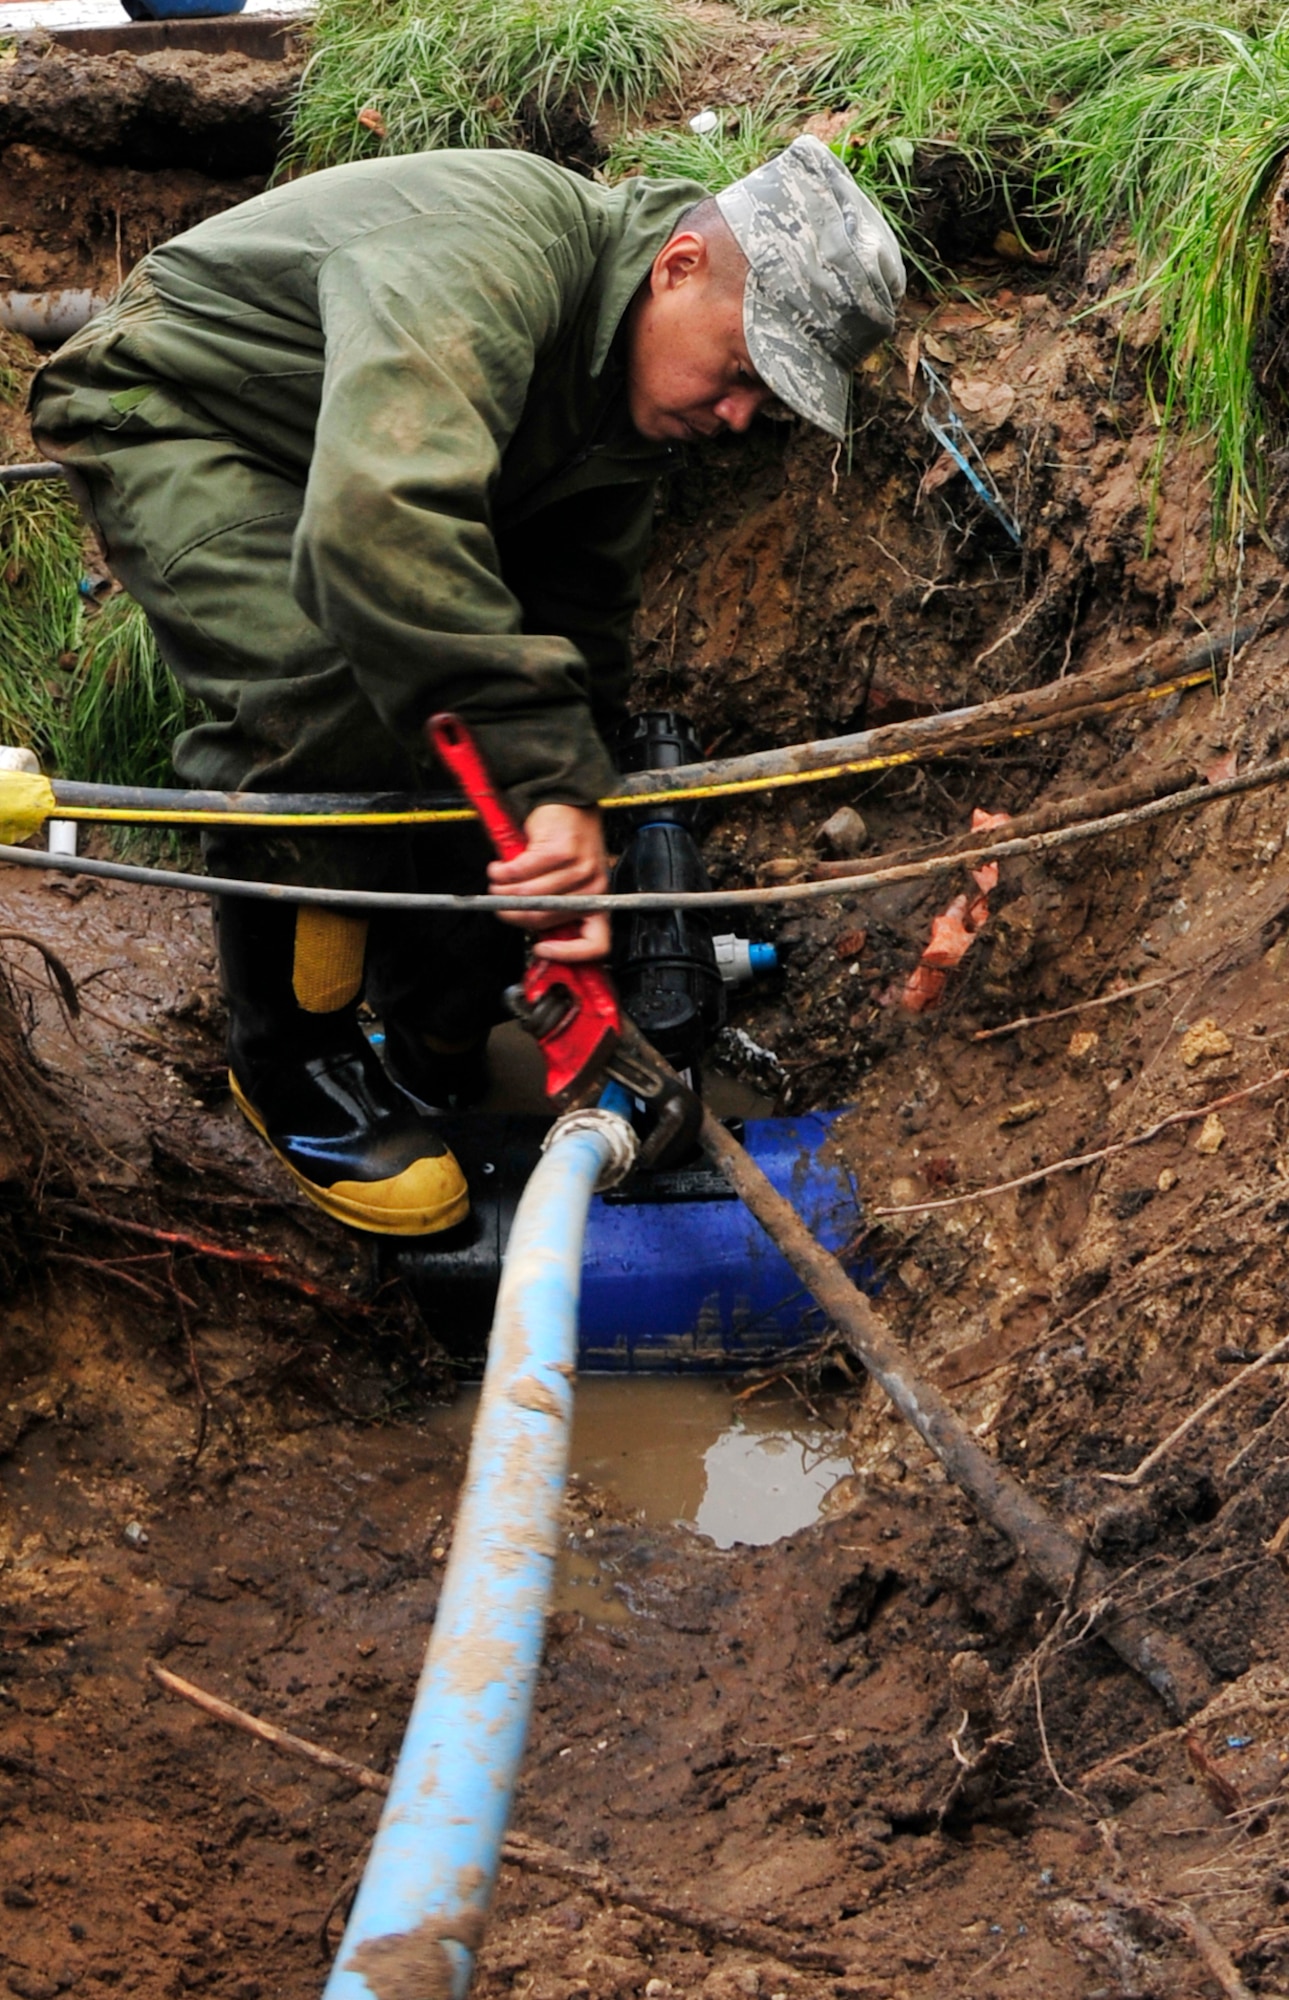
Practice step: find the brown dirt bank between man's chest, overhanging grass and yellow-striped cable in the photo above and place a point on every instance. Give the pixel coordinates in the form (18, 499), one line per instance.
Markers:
(800, 591)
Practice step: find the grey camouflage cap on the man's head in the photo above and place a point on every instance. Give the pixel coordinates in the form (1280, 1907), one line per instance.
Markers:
(826, 277)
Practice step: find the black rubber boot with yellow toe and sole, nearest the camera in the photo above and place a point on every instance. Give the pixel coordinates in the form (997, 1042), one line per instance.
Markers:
(311, 1085)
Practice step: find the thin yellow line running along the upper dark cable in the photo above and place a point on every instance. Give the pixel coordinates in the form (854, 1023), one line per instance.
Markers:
(724, 789)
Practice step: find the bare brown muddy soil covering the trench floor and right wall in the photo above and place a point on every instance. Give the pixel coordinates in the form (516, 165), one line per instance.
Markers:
(217, 1425)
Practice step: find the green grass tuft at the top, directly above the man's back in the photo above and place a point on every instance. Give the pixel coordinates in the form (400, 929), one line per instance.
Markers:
(465, 73)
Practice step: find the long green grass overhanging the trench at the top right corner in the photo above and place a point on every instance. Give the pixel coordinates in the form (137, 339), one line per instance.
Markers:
(1150, 127)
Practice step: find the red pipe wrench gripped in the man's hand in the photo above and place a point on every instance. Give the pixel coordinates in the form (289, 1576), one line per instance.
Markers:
(573, 1011)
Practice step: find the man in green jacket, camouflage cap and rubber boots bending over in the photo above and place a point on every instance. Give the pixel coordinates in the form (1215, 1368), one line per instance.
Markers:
(383, 443)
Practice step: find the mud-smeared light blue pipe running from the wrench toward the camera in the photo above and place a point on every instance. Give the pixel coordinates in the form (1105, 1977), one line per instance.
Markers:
(429, 1879)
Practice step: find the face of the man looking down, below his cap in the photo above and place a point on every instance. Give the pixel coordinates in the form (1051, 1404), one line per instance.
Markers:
(688, 363)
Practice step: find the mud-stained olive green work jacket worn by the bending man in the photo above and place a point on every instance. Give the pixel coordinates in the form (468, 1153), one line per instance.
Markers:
(429, 345)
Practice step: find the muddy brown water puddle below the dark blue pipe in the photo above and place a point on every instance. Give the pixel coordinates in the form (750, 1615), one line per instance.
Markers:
(692, 1453)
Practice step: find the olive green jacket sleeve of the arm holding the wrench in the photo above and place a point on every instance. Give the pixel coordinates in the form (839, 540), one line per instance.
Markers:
(433, 331)
